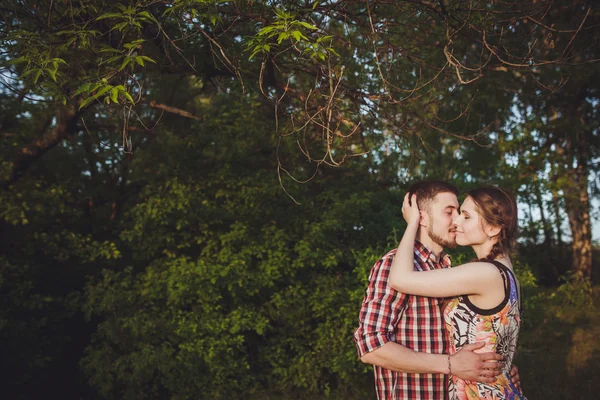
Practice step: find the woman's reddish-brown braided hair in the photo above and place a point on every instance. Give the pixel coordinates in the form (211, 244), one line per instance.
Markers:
(497, 208)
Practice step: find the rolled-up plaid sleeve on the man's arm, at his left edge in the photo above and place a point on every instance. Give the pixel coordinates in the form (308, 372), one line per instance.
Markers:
(380, 310)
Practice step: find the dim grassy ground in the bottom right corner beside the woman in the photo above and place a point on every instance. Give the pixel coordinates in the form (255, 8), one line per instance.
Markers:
(559, 351)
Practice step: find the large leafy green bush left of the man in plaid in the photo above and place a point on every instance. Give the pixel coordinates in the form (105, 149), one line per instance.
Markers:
(235, 288)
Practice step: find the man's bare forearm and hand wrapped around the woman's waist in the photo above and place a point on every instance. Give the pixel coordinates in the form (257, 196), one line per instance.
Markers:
(481, 367)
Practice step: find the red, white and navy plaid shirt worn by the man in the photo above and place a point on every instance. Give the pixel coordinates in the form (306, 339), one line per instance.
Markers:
(415, 322)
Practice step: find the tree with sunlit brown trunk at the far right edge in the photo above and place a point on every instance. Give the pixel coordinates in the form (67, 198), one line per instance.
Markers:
(558, 115)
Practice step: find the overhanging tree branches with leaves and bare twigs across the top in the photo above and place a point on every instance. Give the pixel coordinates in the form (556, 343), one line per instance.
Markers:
(336, 72)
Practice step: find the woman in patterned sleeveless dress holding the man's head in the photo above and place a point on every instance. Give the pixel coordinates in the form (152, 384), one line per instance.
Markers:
(487, 306)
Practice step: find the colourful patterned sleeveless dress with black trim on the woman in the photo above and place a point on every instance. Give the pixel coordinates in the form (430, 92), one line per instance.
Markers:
(497, 327)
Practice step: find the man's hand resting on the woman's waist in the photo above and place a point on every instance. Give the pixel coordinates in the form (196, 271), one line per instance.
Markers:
(480, 367)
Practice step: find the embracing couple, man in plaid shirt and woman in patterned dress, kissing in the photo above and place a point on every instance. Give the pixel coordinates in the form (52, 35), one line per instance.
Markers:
(435, 332)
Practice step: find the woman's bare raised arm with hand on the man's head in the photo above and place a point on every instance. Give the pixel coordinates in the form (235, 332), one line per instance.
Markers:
(472, 278)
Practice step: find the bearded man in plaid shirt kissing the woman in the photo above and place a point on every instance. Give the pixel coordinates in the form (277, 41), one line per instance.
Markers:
(404, 336)
